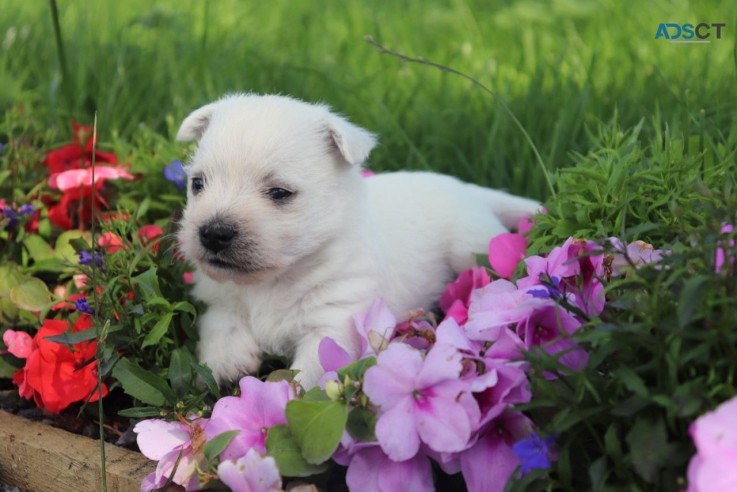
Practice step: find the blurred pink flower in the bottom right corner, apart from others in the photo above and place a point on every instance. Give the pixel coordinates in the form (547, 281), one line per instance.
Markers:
(713, 468)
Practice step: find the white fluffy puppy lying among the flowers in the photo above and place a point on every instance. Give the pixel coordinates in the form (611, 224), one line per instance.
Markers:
(289, 240)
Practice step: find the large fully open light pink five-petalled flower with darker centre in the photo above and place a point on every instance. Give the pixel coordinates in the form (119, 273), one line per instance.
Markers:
(420, 400)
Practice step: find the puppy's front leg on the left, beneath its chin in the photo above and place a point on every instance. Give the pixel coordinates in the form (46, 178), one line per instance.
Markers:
(227, 345)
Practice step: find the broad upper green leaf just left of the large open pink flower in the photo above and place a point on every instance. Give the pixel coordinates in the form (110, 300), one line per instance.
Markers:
(317, 427)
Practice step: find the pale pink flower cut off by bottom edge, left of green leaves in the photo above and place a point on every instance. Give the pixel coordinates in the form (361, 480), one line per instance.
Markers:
(250, 473)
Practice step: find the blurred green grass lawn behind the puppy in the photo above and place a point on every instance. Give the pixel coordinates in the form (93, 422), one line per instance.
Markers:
(562, 67)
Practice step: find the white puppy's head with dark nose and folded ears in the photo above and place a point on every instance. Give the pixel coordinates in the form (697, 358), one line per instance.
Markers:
(272, 180)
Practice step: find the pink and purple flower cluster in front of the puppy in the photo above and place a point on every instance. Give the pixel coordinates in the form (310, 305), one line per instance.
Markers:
(445, 393)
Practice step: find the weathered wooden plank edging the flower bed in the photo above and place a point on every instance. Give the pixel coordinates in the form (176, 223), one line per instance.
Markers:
(42, 458)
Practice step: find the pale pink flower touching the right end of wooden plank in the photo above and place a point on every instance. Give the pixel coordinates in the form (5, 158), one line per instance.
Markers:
(172, 444)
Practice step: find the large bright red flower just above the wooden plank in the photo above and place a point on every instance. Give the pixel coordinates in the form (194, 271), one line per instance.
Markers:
(56, 376)
